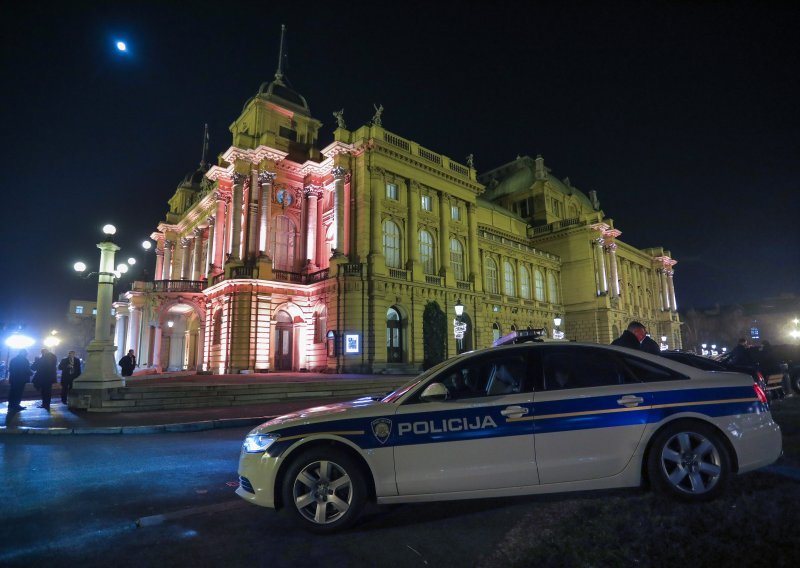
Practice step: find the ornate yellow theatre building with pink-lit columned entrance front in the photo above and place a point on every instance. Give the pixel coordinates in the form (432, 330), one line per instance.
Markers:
(288, 256)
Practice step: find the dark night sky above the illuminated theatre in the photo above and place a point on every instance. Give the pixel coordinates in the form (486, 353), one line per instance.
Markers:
(682, 116)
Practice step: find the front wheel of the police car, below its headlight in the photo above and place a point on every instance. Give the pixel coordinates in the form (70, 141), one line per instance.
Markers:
(324, 489)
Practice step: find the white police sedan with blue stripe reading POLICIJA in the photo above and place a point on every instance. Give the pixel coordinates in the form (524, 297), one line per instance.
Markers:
(514, 420)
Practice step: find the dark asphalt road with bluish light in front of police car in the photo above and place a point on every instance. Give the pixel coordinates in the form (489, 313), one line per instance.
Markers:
(168, 500)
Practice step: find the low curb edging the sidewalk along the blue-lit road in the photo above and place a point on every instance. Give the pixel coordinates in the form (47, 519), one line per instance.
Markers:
(152, 429)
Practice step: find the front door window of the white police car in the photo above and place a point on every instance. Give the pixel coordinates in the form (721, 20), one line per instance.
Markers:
(487, 376)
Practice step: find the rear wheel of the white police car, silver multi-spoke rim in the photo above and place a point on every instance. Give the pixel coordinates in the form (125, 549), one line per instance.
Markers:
(689, 461)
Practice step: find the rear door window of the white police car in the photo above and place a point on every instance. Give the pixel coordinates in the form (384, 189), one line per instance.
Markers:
(584, 368)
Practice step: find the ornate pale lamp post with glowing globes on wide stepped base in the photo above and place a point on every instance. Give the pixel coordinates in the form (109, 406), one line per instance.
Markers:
(100, 371)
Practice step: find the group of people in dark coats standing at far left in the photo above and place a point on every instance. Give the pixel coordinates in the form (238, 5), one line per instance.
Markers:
(45, 374)
